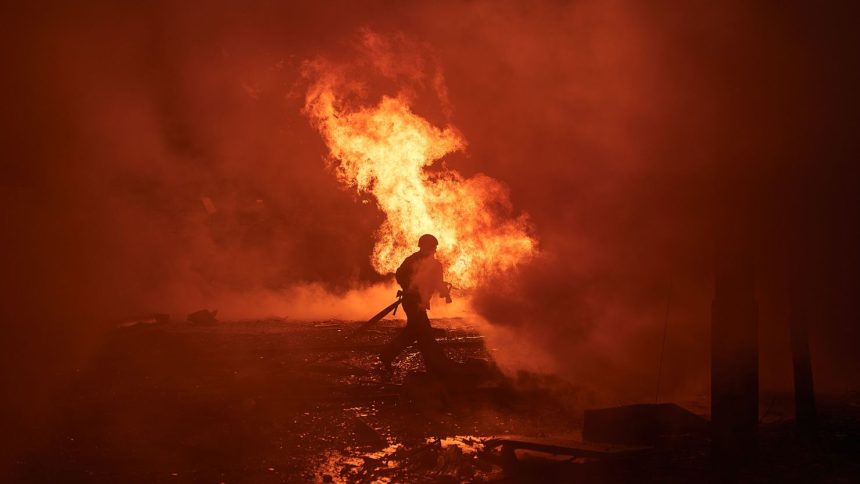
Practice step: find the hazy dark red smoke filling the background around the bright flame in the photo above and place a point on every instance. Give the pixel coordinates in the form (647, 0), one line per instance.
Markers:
(631, 135)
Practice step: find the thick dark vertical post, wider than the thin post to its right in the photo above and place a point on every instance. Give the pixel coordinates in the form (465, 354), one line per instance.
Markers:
(734, 360)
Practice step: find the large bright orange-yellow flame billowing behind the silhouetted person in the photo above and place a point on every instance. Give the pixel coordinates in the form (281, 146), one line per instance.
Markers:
(384, 150)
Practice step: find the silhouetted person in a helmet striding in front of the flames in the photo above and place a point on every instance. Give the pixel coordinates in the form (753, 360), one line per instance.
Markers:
(420, 277)
